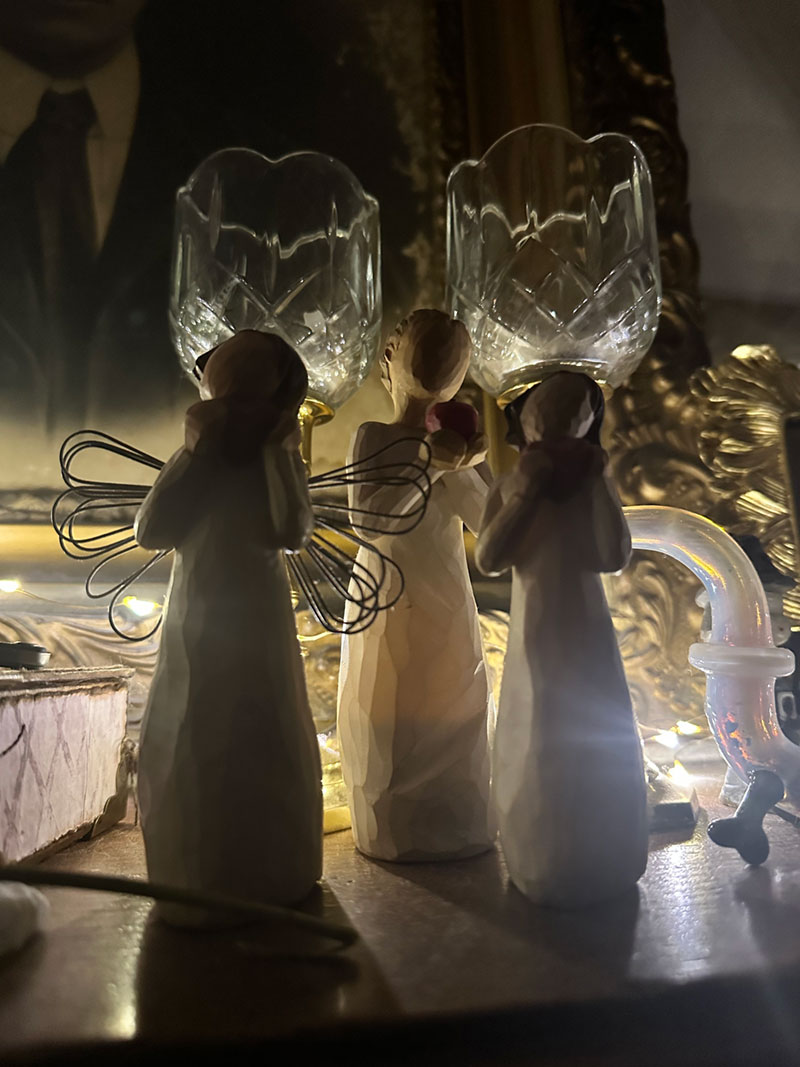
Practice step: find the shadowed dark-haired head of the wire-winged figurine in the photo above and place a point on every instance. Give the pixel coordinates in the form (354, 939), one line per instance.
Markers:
(252, 387)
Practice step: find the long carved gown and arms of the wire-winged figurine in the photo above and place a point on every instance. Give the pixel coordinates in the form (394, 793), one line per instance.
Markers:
(230, 774)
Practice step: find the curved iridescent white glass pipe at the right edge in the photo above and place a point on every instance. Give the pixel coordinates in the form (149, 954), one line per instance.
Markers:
(740, 659)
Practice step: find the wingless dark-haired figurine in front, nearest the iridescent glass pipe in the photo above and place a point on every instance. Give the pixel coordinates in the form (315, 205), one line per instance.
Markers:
(569, 783)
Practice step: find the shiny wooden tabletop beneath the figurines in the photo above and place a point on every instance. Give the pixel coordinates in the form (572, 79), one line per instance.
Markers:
(701, 966)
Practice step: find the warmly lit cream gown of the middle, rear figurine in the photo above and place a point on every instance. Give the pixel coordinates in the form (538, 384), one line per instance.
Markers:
(413, 692)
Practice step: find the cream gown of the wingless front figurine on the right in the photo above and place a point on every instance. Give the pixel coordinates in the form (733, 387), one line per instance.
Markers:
(568, 773)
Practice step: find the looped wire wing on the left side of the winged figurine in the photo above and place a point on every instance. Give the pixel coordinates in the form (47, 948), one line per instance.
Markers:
(94, 520)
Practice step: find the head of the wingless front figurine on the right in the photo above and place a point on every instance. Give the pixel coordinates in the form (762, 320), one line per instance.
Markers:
(566, 405)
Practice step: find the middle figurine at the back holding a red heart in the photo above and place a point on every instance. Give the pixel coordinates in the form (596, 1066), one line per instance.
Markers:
(413, 695)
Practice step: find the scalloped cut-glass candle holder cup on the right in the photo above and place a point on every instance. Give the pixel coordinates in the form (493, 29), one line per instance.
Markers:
(553, 258)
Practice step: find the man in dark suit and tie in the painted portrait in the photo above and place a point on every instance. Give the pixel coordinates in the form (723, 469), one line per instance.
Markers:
(106, 109)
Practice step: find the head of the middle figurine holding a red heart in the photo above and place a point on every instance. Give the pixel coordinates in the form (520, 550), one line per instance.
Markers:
(427, 358)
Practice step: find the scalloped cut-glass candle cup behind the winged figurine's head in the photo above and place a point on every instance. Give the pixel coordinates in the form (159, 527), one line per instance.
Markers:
(289, 246)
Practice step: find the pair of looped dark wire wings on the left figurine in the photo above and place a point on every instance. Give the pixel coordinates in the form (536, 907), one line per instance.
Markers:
(343, 574)
